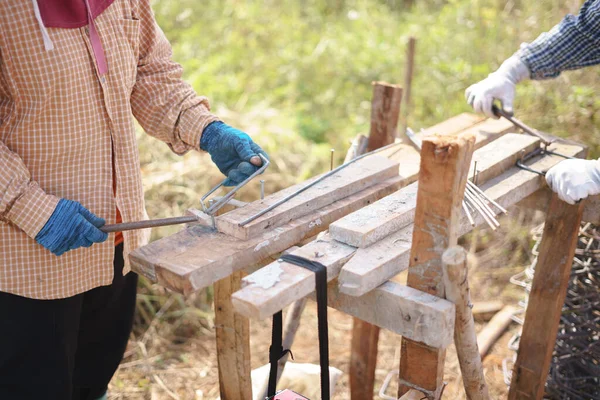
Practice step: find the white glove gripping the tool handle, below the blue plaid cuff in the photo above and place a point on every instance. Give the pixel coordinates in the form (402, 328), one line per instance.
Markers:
(498, 85)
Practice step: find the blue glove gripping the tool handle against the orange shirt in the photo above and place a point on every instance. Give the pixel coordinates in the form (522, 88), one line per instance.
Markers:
(70, 226)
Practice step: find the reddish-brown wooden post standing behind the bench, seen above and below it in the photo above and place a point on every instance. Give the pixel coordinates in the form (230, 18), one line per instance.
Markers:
(385, 111)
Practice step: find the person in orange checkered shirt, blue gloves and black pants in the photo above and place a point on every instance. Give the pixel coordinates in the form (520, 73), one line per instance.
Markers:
(72, 74)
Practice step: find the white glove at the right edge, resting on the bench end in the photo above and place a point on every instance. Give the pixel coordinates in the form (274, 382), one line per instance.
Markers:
(574, 180)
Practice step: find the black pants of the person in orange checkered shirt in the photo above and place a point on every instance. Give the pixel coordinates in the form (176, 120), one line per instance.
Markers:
(66, 349)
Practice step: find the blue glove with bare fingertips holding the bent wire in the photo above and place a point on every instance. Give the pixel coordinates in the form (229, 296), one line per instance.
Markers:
(233, 152)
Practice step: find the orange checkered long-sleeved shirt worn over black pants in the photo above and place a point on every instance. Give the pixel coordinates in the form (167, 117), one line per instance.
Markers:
(61, 126)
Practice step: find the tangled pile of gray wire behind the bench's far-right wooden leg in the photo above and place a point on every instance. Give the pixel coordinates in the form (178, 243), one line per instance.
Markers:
(575, 369)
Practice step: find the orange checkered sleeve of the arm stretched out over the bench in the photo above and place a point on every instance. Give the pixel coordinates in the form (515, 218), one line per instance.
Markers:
(164, 105)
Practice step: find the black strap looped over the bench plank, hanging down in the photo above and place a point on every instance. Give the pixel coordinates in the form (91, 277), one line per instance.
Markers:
(276, 350)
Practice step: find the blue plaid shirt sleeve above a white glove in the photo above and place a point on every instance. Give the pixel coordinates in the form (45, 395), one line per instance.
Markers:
(573, 43)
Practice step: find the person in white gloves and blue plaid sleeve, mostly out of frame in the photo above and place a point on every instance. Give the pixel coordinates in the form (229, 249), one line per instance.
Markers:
(573, 43)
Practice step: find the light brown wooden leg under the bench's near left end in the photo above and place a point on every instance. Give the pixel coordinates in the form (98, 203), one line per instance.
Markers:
(233, 340)
